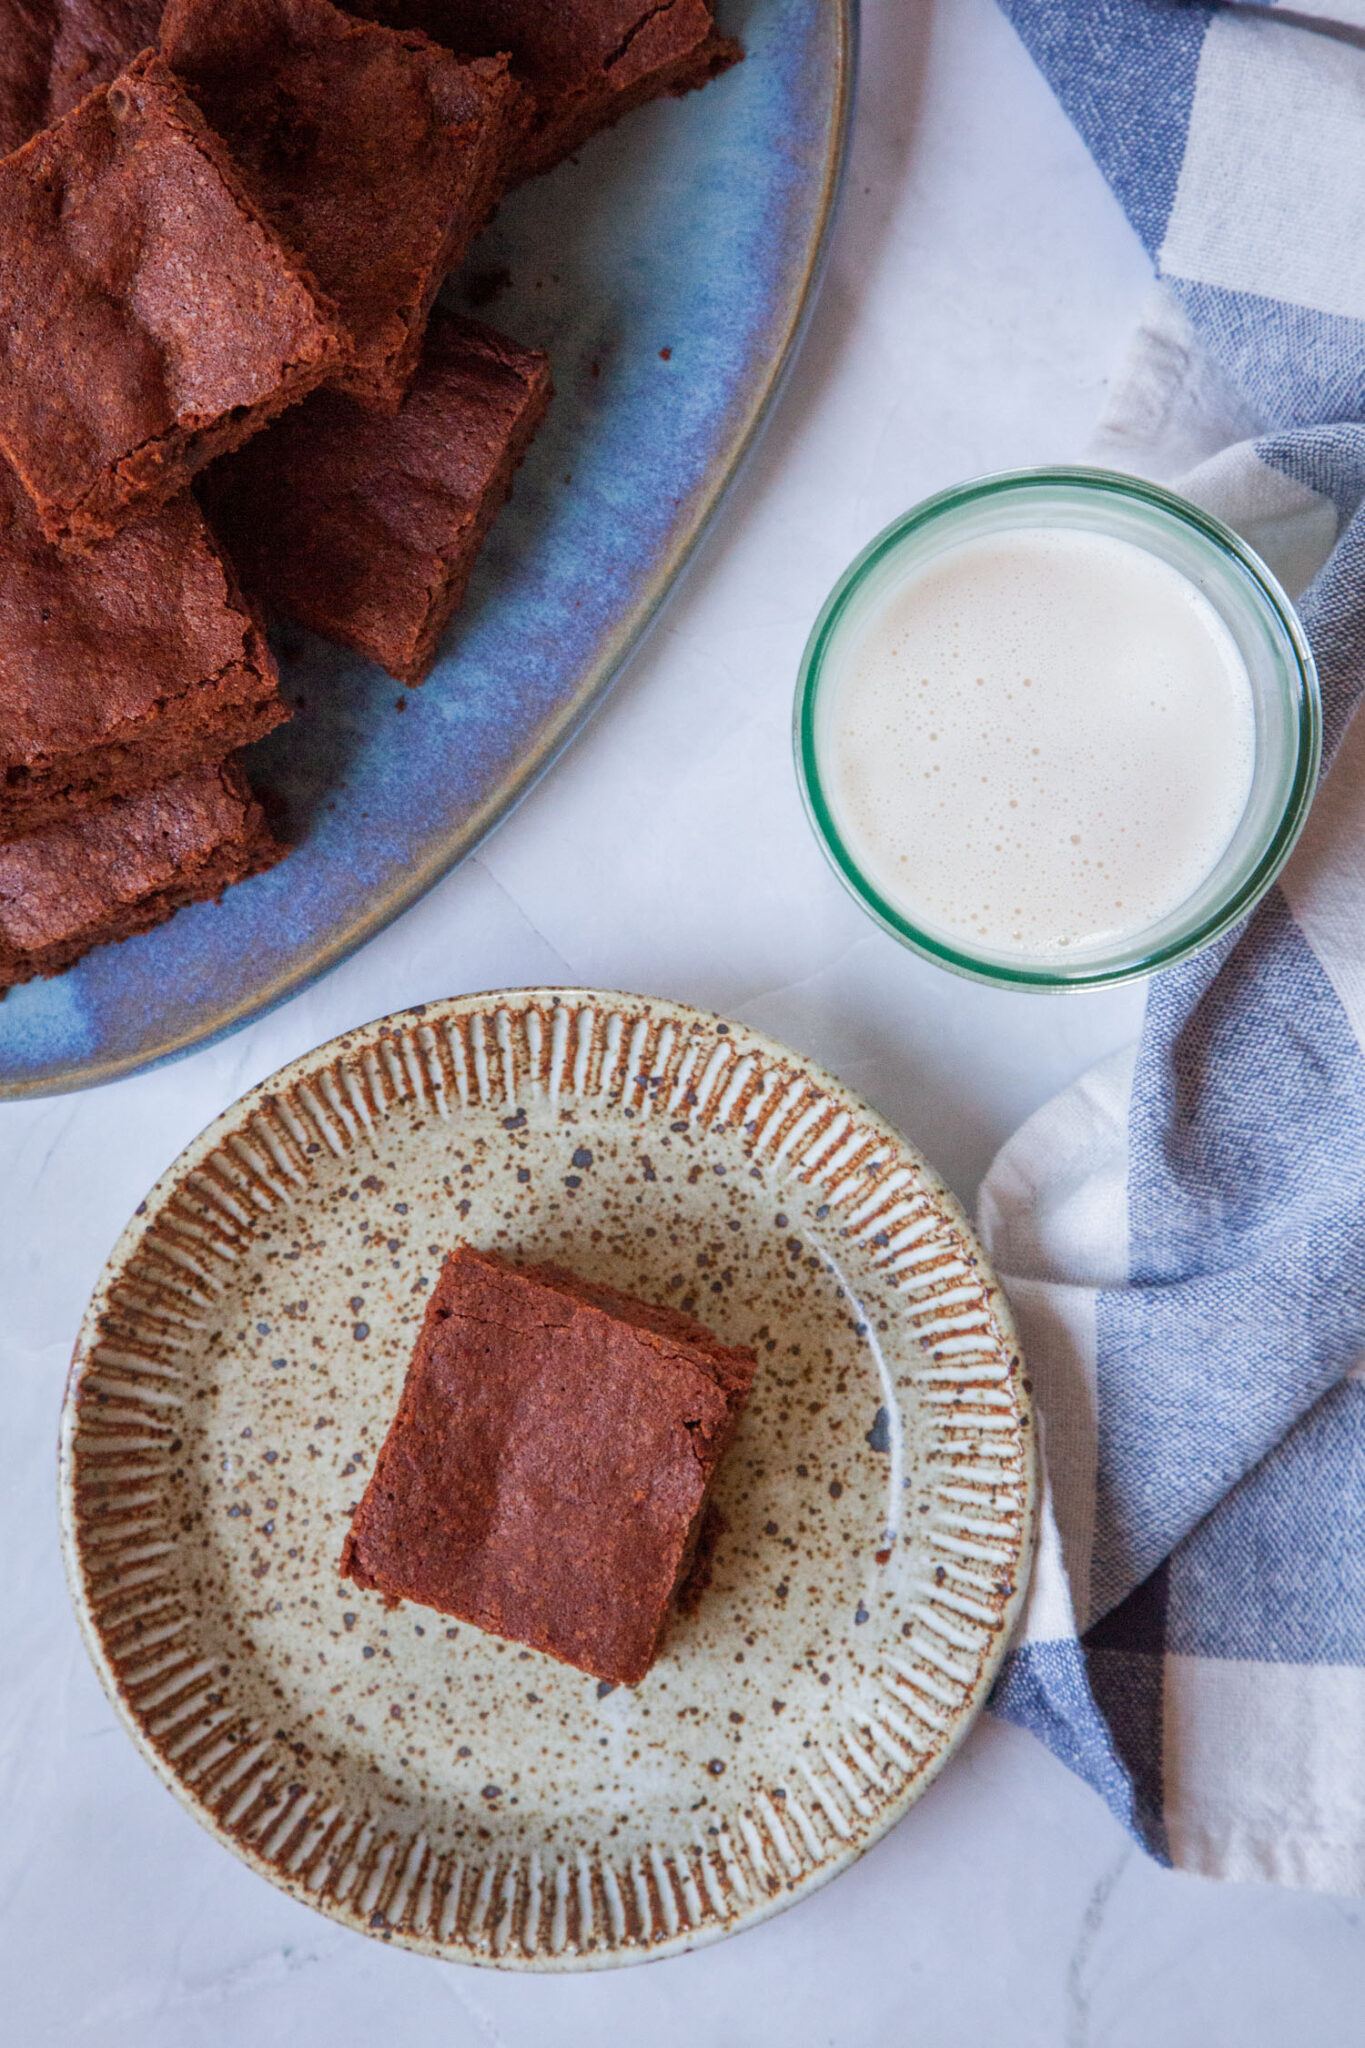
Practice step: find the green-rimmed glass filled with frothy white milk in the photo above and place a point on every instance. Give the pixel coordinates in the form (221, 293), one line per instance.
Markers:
(1057, 728)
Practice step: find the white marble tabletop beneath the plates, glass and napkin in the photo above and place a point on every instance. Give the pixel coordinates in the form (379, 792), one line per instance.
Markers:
(981, 290)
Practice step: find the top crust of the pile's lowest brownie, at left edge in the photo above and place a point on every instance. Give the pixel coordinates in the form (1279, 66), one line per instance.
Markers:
(73, 878)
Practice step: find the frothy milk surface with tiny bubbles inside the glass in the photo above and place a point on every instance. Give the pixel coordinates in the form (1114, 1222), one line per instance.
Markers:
(1041, 742)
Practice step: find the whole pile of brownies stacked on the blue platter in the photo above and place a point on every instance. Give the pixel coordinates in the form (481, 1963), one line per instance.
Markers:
(222, 237)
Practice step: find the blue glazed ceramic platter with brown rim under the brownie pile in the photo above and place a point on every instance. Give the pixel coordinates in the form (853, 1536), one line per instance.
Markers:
(666, 273)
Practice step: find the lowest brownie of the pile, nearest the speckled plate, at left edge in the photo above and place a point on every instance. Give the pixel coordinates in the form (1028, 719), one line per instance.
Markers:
(124, 869)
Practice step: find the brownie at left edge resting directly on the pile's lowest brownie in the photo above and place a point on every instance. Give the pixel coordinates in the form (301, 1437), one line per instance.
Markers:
(124, 667)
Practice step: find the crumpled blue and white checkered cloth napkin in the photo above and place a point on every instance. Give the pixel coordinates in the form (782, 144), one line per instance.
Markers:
(1184, 1232)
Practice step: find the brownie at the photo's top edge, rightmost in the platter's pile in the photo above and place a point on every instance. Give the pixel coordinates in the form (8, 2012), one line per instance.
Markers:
(588, 62)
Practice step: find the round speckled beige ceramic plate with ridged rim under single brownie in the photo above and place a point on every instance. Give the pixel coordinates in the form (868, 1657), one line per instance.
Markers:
(240, 1365)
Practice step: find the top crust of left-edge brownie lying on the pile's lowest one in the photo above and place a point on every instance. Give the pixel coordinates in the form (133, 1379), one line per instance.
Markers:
(93, 644)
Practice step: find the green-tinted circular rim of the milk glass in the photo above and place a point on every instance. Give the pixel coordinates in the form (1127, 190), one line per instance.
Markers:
(1307, 714)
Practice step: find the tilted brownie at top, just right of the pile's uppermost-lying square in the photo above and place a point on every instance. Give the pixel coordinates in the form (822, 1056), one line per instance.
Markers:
(376, 155)
